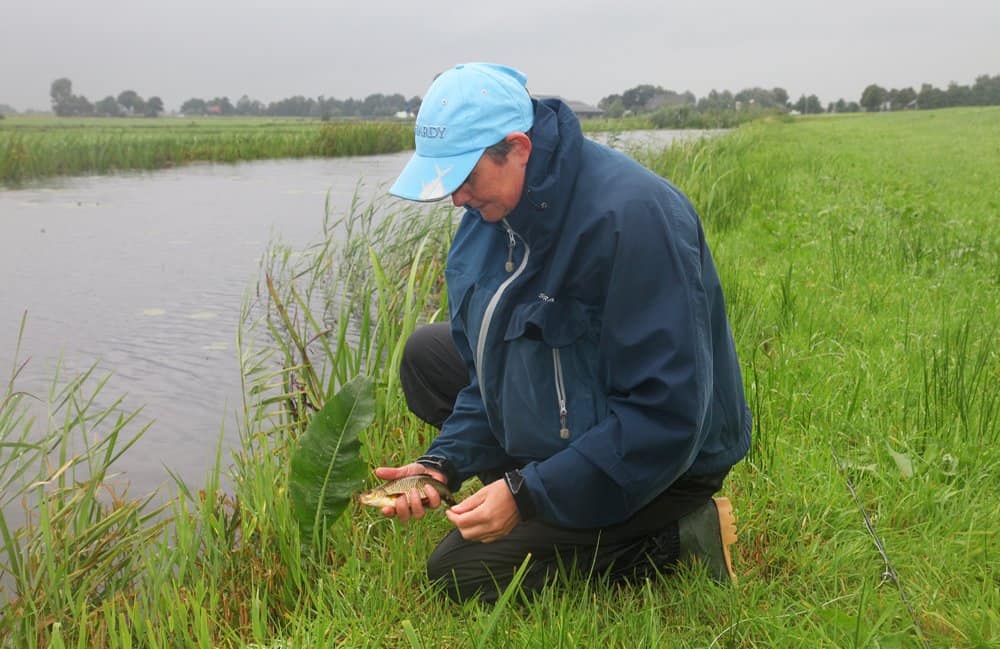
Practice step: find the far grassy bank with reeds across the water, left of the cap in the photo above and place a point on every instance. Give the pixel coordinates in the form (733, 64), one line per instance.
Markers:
(33, 147)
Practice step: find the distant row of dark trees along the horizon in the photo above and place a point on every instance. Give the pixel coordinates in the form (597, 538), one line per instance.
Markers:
(666, 107)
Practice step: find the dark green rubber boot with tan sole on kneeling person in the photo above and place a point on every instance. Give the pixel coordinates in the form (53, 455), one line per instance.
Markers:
(706, 535)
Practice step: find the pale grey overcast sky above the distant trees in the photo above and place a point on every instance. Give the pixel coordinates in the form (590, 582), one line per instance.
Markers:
(579, 49)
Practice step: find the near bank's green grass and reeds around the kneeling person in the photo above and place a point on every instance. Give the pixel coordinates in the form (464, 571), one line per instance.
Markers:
(861, 261)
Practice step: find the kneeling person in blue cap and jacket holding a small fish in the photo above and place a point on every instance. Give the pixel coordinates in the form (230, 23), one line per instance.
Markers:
(589, 377)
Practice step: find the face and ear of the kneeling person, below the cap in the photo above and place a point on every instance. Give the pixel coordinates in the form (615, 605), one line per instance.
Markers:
(494, 188)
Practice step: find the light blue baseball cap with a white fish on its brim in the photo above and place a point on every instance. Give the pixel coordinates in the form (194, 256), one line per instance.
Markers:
(467, 109)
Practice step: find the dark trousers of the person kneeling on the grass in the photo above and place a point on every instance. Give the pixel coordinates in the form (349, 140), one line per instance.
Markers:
(432, 374)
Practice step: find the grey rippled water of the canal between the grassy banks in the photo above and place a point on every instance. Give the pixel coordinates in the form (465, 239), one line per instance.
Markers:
(145, 275)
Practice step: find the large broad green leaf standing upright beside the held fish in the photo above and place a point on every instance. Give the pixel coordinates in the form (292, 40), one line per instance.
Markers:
(327, 469)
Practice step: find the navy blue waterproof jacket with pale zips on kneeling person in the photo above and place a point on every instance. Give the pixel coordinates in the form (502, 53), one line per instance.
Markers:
(594, 328)
